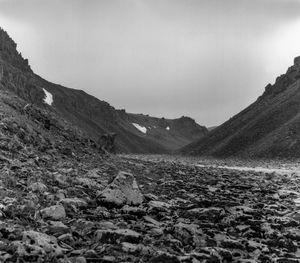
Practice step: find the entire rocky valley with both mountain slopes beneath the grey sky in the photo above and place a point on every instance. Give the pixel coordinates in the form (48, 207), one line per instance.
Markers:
(175, 191)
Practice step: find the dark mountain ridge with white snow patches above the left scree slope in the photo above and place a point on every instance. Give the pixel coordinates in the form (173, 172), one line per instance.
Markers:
(135, 133)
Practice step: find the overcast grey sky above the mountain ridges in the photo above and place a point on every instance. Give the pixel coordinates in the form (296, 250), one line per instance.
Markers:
(207, 59)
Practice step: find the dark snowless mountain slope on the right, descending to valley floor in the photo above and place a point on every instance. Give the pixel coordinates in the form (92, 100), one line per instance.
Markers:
(270, 127)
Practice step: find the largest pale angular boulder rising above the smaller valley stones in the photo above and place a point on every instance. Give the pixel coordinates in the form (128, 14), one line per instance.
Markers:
(122, 191)
